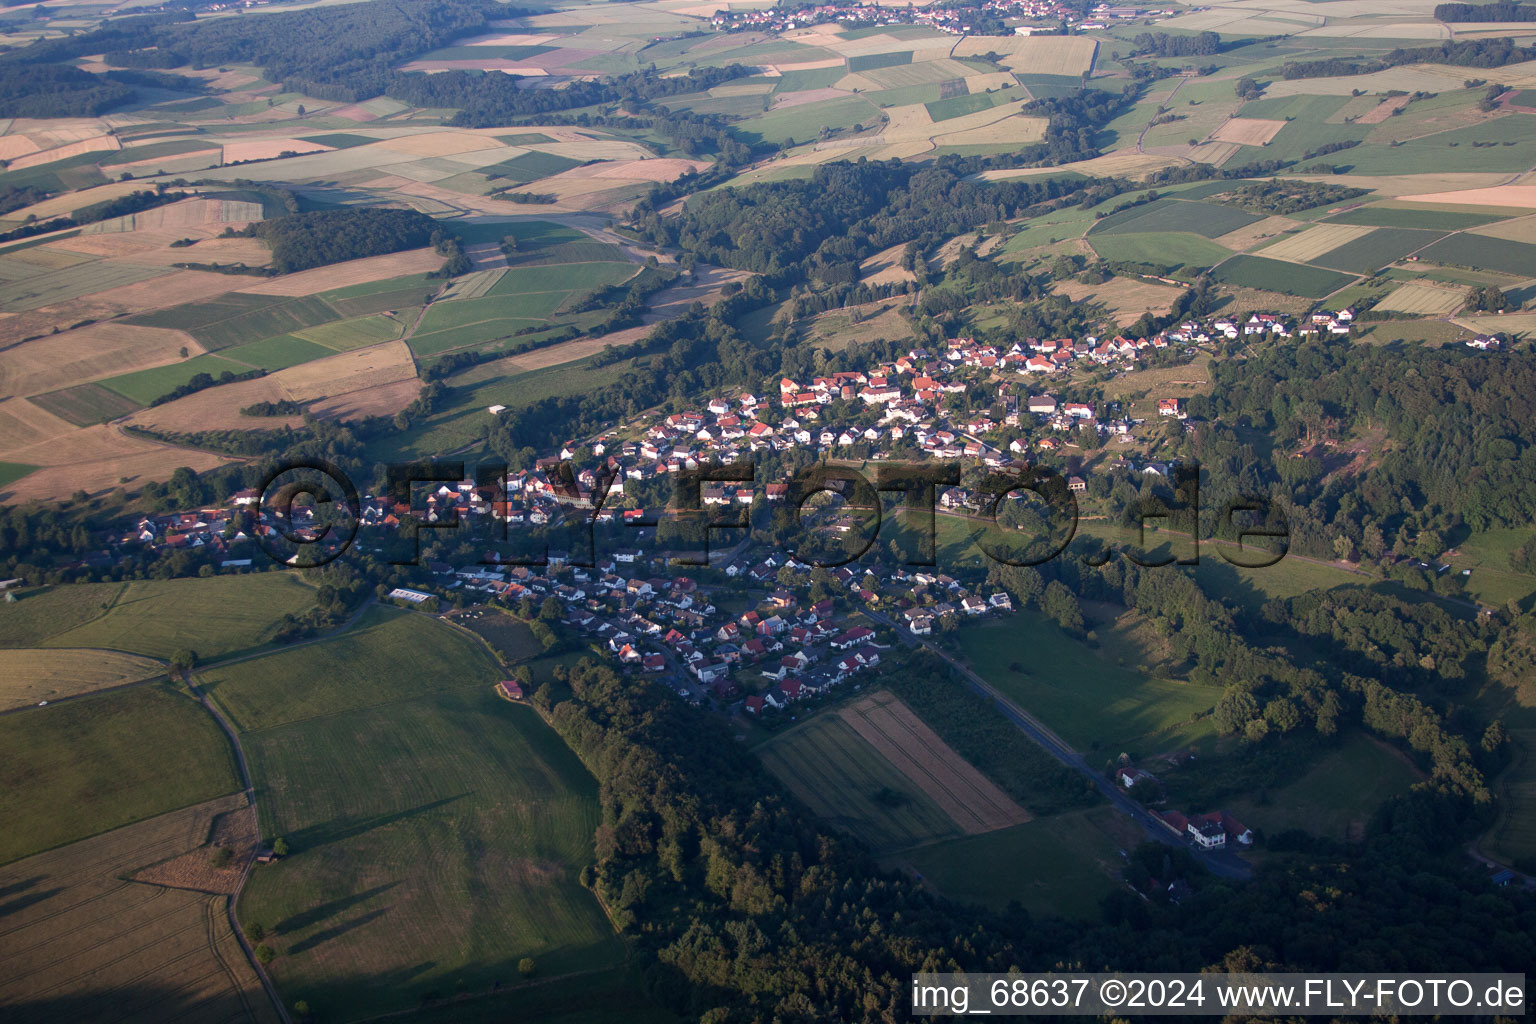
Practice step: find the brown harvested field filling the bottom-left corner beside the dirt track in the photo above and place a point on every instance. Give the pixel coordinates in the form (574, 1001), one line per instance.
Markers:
(84, 943)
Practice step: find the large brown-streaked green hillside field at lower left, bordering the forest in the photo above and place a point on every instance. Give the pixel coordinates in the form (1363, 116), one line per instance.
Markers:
(435, 842)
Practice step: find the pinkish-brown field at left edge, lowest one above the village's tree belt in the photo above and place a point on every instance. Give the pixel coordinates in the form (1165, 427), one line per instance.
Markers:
(98, 460)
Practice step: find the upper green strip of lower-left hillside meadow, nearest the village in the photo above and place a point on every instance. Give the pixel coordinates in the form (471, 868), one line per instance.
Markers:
(388, 656)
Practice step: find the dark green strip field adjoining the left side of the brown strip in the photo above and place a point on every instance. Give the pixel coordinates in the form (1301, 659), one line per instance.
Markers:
(846, 781)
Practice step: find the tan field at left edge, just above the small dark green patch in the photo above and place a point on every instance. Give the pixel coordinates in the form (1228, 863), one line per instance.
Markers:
(88, 354)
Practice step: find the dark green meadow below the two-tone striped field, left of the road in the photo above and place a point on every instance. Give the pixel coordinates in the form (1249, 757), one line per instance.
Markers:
(1062, 865)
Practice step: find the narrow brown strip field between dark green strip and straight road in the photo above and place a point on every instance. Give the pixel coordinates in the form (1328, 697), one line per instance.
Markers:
(965, 794)
